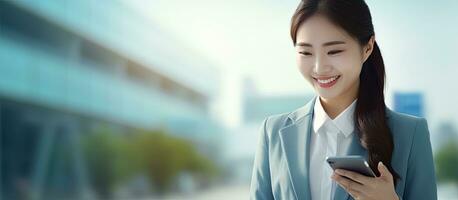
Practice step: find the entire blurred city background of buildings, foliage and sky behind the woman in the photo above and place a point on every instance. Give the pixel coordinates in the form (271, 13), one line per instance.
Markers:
(164, 99)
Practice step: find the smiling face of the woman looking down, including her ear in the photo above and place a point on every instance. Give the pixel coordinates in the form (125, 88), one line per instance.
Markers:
(329, 58)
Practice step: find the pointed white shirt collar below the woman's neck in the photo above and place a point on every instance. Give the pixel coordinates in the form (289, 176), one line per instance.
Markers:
(344, 122)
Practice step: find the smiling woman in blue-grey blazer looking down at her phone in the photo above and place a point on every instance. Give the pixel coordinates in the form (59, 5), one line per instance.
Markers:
(337, 54)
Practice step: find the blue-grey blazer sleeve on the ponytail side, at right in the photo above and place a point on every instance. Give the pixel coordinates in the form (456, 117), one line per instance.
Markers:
(420, 177)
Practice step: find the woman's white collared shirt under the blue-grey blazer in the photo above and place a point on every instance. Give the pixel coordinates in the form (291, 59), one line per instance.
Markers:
(329, 138)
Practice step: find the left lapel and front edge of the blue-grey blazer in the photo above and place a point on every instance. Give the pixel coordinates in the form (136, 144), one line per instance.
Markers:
(295, 141)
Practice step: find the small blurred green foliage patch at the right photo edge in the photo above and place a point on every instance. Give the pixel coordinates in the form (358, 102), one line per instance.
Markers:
(447, 162)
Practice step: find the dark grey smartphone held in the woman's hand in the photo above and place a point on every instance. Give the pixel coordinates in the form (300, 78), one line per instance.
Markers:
(352, 163)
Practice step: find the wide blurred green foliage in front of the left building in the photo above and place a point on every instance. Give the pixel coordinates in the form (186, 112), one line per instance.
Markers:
(113, 159)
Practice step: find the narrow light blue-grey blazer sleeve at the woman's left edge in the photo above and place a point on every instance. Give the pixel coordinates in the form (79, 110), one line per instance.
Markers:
(260, 180)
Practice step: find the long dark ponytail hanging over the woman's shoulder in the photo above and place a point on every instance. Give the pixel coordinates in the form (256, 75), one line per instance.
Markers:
(370, 114)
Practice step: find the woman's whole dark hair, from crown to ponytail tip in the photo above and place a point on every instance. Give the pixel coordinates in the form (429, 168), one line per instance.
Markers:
(354, 17)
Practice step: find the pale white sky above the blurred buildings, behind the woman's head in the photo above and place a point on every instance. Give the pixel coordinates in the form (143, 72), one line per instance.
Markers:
(251, 38)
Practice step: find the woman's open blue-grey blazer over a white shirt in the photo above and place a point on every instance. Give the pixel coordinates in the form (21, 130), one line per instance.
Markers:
(281, 163)
